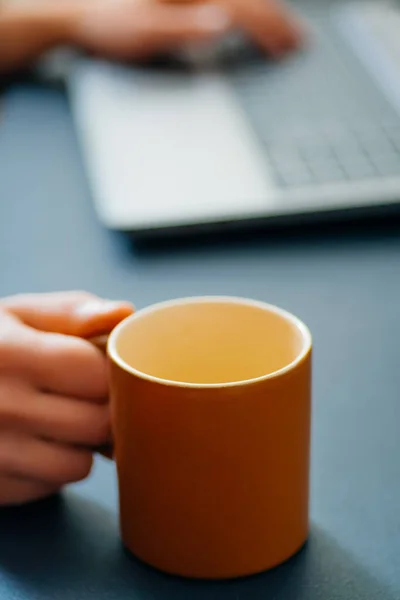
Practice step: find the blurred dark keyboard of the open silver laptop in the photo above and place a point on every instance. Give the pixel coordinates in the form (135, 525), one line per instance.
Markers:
(319, 115)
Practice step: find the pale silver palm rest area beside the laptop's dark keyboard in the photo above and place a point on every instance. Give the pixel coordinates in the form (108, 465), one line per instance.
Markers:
(178, 146)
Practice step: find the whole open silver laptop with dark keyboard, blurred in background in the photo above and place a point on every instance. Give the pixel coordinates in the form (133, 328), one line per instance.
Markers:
(231, 138)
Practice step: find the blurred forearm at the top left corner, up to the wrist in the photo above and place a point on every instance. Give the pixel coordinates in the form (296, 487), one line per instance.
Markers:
(27, 31)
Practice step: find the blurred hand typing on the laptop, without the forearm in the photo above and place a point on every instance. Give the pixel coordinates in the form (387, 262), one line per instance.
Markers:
(137, 29)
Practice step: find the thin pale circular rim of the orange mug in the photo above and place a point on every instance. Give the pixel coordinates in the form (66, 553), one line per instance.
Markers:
(298, 324)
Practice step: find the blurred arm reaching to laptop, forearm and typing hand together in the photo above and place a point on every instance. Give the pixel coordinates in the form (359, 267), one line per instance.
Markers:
(139, 29)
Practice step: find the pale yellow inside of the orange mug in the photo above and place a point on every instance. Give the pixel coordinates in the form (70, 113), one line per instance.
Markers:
(209, 341)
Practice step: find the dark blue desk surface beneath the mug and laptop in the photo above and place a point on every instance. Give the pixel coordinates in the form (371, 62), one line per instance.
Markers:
(345, 285)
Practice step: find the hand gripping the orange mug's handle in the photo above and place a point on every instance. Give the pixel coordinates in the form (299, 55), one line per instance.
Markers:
(53, 390)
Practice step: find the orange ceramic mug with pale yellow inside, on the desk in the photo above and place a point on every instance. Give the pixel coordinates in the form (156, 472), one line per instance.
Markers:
(211, 411)
